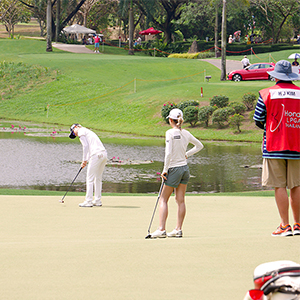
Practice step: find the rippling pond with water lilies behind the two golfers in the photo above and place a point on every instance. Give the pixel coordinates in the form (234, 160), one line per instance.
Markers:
(40, 157)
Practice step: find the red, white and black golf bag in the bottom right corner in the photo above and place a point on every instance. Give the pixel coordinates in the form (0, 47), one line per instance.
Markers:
(278, 280)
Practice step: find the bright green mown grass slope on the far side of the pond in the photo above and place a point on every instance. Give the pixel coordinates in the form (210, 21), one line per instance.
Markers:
(100, 91)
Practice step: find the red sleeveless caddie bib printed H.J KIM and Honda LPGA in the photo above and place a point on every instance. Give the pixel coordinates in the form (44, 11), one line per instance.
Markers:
(283, 117)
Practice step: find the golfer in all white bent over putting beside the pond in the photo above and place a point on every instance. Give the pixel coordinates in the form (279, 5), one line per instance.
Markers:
(95, 155)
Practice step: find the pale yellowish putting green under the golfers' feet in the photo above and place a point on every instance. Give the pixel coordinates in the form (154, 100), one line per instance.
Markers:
(60, 251)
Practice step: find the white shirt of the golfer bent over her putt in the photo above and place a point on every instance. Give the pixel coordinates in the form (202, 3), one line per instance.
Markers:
(91, 144)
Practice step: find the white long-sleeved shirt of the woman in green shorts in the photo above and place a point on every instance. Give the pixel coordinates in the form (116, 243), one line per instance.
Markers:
(176, 144)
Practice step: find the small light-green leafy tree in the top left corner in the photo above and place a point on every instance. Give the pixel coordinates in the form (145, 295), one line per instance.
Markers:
(12, 12)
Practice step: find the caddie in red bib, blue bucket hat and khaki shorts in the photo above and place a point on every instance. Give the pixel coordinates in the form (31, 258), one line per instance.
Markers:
(278, 113)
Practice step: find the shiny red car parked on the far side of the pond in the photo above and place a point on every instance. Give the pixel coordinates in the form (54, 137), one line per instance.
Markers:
(253, 72)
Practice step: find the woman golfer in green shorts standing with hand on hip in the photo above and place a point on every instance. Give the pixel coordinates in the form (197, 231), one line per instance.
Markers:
(175, 173)
